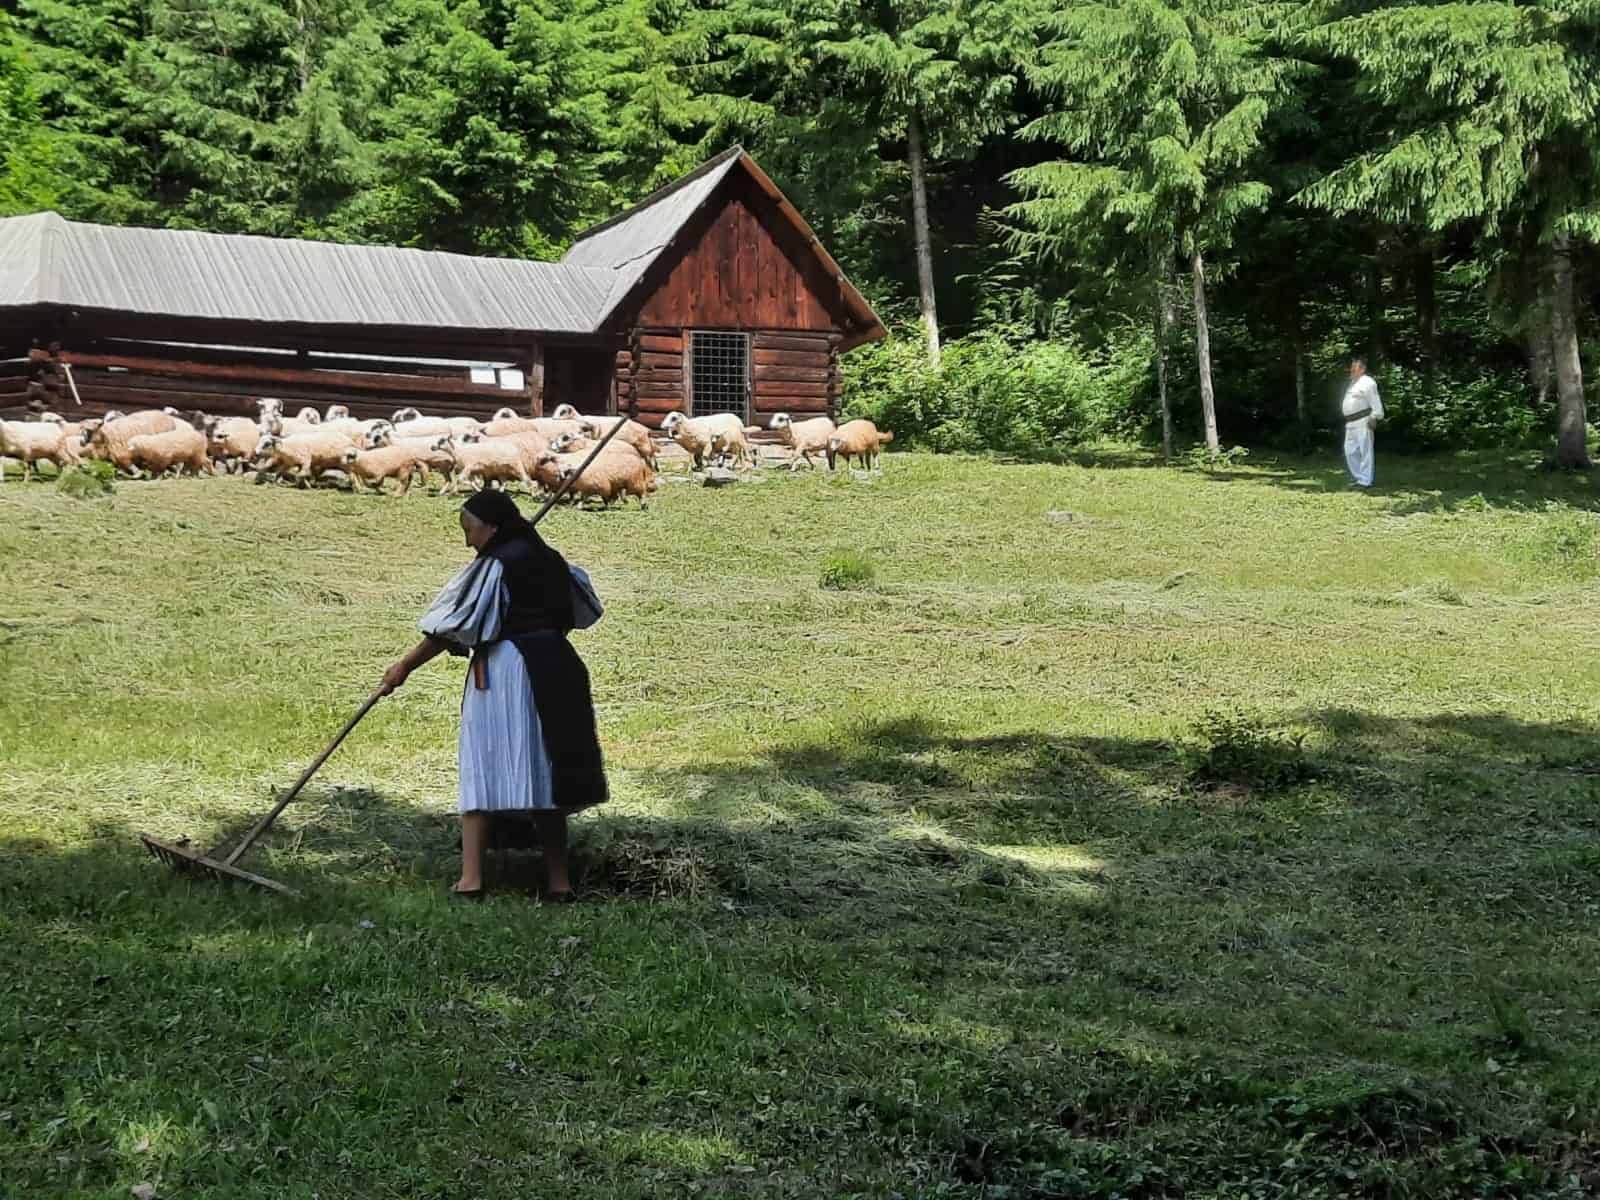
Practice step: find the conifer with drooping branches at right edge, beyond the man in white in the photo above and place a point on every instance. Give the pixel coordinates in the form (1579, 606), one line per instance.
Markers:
(1492, 113)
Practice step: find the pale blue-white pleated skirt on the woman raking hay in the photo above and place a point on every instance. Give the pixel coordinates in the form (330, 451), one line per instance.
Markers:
(505, 766)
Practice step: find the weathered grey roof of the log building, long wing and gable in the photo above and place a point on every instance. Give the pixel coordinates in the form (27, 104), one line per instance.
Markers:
(172, 273)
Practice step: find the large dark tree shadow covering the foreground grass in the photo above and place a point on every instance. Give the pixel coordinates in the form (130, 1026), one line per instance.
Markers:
(1031, 959)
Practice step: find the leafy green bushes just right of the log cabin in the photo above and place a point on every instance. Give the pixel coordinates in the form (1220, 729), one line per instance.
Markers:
(999, 391)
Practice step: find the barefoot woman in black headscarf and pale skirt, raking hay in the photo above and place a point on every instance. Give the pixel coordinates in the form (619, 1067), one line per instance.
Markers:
(529, 740)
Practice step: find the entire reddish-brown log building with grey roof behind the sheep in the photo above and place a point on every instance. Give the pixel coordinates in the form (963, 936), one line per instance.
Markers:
(710, 297)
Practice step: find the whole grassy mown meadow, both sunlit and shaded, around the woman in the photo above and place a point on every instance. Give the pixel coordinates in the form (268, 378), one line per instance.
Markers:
(958, 886)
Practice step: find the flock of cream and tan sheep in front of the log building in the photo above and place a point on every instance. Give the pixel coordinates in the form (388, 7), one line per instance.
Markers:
(505, 450)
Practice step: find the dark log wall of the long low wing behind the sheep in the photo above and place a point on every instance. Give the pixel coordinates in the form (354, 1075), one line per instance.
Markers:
(230, 383)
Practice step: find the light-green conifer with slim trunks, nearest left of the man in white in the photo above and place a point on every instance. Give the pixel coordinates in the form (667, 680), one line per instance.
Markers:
(1162, 106)
